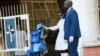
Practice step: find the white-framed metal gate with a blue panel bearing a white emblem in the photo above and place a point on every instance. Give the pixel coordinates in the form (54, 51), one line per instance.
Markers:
(14, 32)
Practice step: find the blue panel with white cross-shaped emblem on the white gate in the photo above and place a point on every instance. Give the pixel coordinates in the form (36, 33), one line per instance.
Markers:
(10, 33)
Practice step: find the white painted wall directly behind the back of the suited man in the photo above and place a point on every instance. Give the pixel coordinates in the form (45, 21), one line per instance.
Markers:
(88, 21)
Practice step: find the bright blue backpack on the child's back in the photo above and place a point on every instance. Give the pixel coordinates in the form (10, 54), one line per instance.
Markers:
(35, 37)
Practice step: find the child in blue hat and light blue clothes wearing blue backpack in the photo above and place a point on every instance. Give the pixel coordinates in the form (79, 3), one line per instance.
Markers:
(37, 40)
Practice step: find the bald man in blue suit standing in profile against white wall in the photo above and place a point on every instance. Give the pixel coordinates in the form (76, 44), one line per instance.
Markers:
(71, 28)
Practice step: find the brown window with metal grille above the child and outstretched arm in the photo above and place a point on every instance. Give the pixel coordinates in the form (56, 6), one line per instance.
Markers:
(42, 11)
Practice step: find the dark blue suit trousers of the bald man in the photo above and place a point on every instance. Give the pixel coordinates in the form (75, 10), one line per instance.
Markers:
(72, 47)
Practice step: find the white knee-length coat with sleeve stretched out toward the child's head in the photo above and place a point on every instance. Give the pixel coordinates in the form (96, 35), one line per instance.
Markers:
(61, 44)
